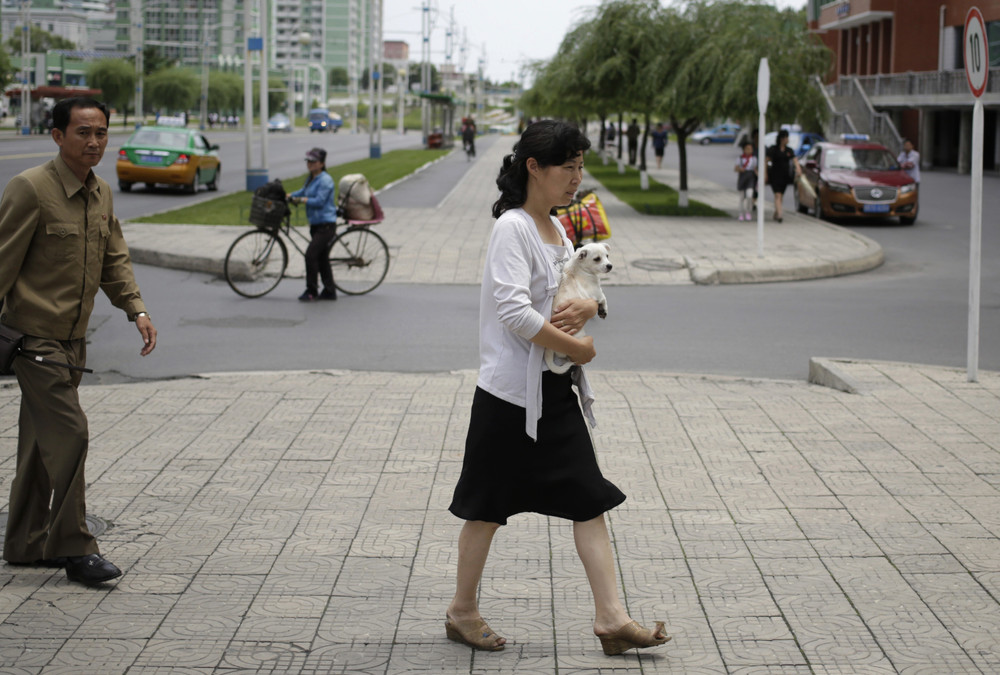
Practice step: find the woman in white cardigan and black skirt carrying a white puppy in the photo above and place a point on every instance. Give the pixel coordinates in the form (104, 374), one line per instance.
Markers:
(528, 447)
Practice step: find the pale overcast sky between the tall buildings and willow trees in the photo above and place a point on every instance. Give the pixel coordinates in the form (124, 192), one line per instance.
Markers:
(508, 33)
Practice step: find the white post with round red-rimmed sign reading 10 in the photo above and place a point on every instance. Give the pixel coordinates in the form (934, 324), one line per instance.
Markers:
(977, 63)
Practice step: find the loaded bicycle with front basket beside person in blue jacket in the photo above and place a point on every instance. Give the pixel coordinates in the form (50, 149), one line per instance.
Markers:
(257, 260)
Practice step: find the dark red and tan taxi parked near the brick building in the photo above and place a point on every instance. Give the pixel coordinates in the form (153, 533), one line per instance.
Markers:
(858, 179)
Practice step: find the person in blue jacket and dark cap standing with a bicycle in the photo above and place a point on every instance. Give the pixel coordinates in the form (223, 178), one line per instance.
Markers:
(321, 211)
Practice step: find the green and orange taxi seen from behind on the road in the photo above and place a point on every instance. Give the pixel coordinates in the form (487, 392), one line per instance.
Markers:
(170, 156)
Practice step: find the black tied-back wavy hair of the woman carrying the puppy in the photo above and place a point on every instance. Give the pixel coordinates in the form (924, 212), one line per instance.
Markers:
(551, 143)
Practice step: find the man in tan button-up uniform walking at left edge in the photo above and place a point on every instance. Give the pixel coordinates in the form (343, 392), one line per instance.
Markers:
(59, 243)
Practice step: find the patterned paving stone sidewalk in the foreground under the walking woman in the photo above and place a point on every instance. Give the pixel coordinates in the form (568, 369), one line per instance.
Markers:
(297, 523)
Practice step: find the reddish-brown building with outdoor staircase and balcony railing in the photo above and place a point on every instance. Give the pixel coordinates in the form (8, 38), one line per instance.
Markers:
(898, 72)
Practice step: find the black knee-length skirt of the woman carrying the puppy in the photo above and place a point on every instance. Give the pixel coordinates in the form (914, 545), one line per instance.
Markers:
(505, 472)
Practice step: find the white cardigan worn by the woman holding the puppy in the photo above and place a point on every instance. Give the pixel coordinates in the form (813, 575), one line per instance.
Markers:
(519, 282)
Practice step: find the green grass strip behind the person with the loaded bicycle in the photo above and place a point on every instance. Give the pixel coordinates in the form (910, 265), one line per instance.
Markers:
(234, 209)
